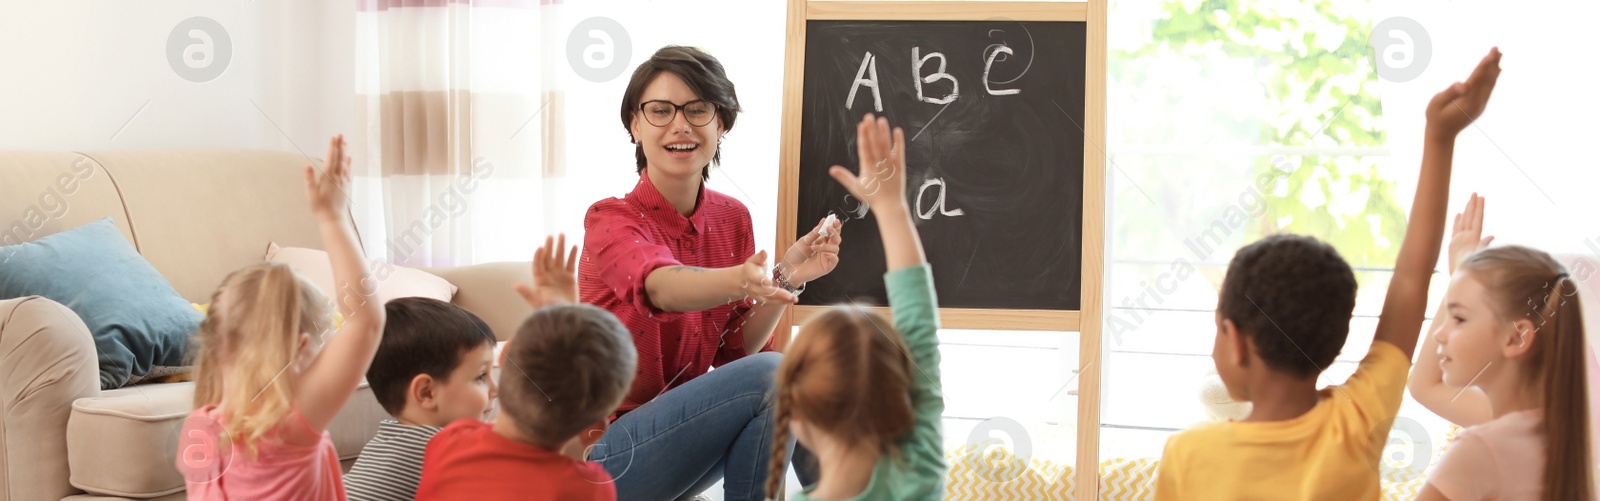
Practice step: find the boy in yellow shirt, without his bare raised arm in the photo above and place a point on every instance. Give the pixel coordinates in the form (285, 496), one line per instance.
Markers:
(1282, 318)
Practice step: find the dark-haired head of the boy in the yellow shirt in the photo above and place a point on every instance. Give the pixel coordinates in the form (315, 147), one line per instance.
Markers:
(1294, 297)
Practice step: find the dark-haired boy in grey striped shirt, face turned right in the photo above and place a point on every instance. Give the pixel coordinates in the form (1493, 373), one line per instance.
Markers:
(431, 369)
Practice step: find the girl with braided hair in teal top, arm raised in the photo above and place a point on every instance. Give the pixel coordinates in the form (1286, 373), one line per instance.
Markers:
(863, 396)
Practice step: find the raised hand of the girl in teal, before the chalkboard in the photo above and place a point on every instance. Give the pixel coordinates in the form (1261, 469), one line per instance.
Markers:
(882, 180)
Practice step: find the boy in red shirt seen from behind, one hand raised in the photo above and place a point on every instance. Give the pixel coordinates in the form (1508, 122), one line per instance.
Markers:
(564, 374)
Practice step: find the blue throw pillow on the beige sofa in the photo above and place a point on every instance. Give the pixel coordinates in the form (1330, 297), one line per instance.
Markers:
(138, 321)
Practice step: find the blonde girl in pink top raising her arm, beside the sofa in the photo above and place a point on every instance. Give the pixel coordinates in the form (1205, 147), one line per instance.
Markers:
(263, 391)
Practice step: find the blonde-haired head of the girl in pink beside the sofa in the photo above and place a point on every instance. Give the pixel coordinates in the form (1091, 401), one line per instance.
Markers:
(252, 334)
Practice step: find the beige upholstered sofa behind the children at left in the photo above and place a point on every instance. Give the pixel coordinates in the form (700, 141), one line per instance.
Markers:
(196, 215)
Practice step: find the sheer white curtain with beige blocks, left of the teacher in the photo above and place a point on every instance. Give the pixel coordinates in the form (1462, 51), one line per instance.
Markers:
(455, 111)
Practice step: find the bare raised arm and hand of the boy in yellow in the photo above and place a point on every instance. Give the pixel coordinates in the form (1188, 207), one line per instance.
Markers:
(1449, 114)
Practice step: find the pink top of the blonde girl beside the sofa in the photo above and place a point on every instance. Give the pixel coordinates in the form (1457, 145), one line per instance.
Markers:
(279, 471)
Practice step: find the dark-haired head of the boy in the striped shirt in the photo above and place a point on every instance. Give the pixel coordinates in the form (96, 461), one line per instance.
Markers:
(444, 343)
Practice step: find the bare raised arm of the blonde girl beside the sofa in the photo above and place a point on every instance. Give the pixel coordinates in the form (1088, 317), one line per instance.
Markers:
(324, 388)
